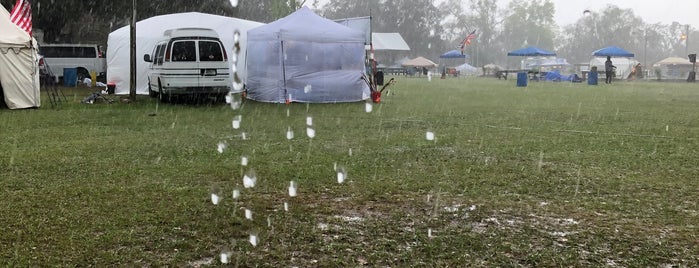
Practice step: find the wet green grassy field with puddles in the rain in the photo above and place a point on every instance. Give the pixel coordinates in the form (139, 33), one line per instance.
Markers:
(554, 174)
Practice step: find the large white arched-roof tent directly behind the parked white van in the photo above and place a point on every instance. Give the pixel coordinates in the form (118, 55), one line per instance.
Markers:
(151, 30)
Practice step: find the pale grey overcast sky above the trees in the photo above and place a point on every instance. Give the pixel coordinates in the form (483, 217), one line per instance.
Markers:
(652, 11)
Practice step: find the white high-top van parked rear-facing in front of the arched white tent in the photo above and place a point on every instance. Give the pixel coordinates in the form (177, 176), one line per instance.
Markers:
(189, 61)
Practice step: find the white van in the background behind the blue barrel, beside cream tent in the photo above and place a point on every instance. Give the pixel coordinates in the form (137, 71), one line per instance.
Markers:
(87, 58)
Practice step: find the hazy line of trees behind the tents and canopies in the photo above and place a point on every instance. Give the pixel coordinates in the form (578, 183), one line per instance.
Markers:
(430, 27)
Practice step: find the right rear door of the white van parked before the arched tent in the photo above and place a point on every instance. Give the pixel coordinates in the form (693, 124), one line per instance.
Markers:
(213, 65)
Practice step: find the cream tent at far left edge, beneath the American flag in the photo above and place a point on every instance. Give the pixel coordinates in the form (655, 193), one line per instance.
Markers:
(19, 65)
